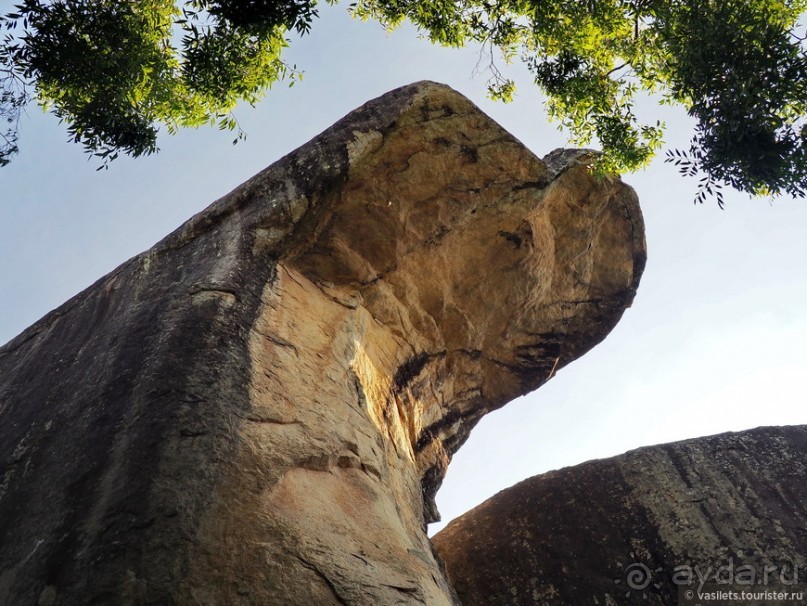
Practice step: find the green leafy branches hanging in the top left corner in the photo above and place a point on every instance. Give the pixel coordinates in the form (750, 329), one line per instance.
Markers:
(115, 71)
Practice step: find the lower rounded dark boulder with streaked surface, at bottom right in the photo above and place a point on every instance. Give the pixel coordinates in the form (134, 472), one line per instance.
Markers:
(706, 514)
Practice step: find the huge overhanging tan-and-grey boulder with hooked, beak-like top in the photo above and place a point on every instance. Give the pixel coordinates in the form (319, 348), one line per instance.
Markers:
(259, 409)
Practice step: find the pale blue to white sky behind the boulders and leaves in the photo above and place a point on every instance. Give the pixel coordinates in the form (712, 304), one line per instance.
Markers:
(715, 340)
